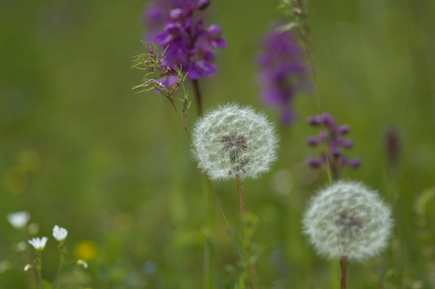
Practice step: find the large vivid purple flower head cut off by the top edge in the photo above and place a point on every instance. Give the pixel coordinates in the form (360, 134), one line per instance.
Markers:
(189, 44)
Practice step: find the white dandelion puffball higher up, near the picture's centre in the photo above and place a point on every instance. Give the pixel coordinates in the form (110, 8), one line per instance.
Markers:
(234, 141)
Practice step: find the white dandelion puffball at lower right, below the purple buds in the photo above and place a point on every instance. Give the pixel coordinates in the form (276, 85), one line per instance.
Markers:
(347, 219)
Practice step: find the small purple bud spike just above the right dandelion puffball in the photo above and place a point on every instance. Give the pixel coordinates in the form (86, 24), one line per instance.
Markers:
(332, 134)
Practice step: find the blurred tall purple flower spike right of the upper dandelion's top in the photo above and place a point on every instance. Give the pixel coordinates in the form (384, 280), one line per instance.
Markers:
(283, 71)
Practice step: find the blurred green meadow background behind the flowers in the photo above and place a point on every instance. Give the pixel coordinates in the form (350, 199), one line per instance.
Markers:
(80, 149)
